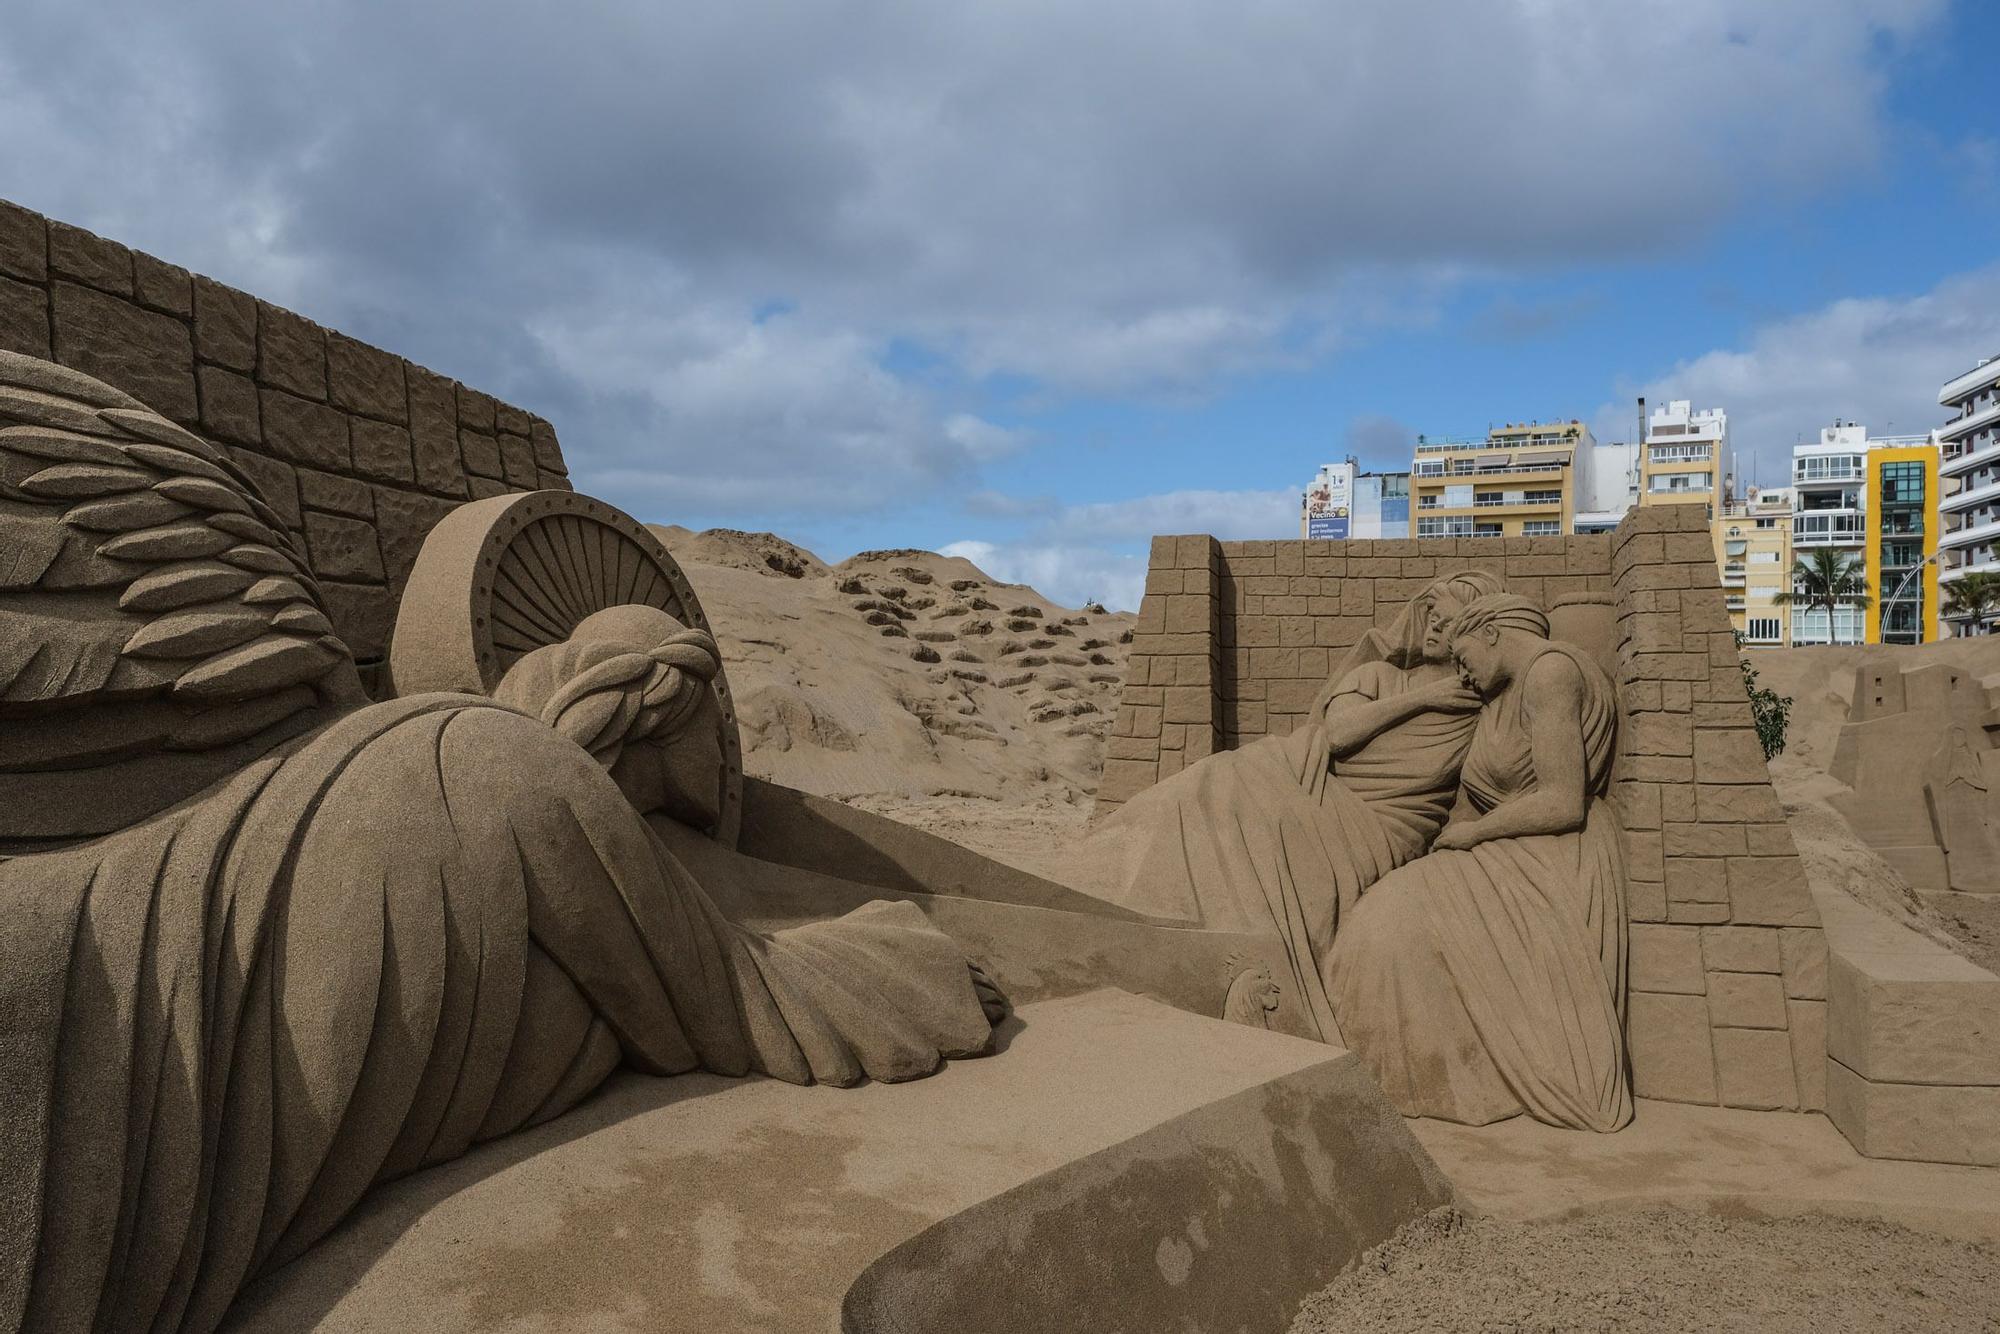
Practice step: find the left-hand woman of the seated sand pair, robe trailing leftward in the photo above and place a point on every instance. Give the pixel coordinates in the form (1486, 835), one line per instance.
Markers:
(1285, 835)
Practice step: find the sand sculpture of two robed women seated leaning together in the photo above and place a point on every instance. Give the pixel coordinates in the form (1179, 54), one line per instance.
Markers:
(1437, 855)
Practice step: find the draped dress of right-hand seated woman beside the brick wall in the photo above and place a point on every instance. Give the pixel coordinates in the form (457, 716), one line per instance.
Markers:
(1491, 981)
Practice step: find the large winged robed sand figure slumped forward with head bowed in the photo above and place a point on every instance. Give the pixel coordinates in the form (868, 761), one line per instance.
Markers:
(265, 945)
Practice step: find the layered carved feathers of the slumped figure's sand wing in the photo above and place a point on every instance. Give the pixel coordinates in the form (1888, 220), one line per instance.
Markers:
(145, 543)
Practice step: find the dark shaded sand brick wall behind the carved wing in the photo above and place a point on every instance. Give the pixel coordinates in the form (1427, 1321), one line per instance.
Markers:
(357, 449)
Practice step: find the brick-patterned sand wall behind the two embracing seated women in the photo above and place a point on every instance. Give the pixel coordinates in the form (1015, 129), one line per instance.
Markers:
(1727, 981)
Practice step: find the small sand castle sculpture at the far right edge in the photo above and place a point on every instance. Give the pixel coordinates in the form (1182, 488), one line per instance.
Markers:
(1921, 753)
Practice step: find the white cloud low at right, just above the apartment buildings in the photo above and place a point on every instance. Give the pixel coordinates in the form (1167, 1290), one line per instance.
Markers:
(1875, 361)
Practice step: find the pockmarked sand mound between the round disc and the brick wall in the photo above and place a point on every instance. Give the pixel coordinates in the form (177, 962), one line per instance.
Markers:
(893, 675)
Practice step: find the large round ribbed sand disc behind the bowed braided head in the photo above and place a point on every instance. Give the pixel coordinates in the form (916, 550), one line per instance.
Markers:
(509, 575)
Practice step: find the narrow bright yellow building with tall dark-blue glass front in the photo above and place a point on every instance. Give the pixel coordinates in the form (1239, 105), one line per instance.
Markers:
(1901, 541)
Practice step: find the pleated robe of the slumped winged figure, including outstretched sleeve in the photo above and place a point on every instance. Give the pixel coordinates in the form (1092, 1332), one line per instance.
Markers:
(427, 927)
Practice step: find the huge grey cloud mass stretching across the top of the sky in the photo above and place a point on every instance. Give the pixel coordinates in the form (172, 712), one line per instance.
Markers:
(587, 209)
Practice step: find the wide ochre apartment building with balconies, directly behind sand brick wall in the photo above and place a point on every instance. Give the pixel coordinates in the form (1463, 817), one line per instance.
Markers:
(1517, 481)
